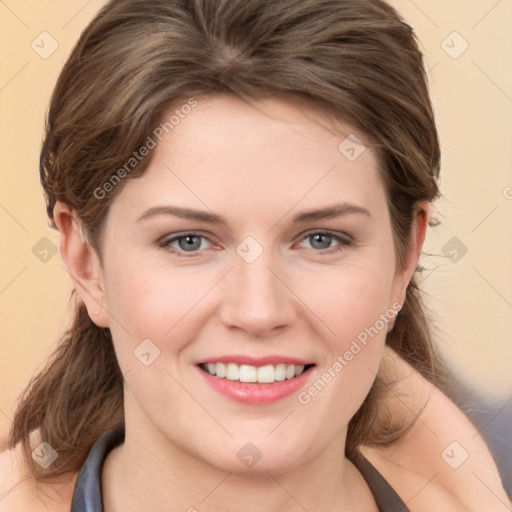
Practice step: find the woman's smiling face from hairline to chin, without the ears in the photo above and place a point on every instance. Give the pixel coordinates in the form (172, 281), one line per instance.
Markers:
(214, 262)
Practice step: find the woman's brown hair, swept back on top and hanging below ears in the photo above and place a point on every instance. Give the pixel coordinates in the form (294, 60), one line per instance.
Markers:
(354, 59)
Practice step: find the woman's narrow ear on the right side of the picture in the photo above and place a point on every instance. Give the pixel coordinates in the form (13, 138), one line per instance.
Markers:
(404, 275)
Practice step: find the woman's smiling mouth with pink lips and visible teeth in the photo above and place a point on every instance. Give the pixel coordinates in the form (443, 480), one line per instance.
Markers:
(256, 382)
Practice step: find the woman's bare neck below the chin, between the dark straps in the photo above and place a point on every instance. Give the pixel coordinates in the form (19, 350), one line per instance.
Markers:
(148, 472)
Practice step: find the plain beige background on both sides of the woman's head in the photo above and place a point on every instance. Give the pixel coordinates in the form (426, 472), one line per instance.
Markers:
(471, 297)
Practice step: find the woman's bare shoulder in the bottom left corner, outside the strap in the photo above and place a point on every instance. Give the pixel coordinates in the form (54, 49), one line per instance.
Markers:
(19, 492)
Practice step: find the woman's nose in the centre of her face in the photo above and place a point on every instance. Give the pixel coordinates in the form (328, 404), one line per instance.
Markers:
(257, 298)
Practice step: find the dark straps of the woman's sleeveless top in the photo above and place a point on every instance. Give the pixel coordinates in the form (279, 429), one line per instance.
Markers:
(87, 493)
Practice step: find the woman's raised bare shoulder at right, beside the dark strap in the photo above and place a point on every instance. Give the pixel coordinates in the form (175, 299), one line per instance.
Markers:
(442, 463)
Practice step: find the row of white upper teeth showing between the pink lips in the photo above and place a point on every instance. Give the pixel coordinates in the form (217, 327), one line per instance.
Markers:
(247, 373)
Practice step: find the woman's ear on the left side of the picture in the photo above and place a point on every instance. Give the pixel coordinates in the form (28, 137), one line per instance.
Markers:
(82, 262)
